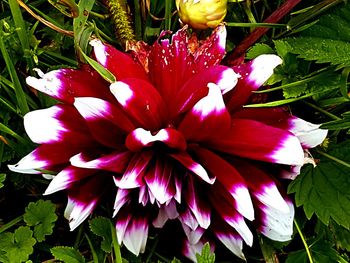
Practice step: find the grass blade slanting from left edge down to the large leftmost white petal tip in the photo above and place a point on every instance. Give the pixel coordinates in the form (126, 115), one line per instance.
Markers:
(20, 94)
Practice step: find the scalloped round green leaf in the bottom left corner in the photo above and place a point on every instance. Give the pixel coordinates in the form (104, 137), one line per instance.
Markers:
(17, 246)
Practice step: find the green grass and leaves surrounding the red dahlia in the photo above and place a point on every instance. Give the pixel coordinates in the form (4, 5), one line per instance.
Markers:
(314, 42)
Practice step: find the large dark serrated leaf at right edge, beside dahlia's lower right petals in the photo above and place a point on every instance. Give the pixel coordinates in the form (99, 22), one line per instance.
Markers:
(324, 190)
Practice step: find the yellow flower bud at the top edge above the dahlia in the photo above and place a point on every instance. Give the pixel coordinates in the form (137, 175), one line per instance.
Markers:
(201, 14)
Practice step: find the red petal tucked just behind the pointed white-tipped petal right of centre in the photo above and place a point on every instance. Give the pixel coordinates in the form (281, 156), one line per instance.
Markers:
(197, 87)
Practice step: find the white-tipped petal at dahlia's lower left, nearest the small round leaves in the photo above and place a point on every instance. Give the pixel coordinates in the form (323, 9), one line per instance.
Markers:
(83, 198)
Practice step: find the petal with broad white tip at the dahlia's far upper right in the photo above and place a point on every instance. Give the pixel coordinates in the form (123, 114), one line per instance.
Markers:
(253, 75)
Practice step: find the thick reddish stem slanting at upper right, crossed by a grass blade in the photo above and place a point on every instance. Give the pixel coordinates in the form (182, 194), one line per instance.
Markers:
(254, 36)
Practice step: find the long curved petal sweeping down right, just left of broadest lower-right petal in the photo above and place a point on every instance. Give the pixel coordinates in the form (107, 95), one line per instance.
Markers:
(230, 178)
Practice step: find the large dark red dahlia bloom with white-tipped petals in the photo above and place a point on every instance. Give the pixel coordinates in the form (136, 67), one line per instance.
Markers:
(171, 139)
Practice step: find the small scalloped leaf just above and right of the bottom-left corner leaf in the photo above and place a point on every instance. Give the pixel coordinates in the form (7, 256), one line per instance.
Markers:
(42, 216)
